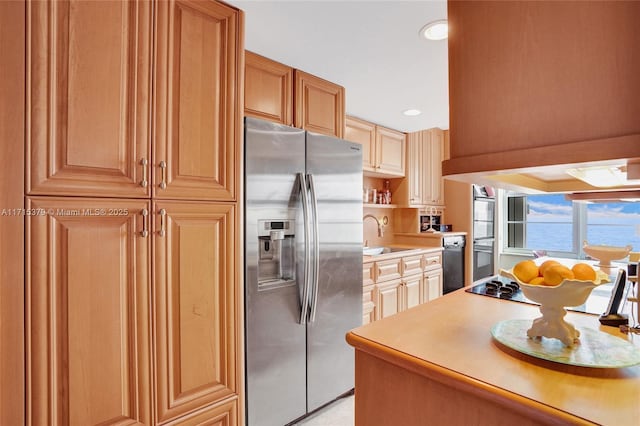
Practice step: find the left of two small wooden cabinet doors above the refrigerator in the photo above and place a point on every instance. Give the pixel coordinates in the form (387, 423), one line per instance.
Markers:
(268, 89)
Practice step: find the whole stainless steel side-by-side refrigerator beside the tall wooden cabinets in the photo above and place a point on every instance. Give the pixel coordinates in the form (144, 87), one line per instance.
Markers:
(303, 269)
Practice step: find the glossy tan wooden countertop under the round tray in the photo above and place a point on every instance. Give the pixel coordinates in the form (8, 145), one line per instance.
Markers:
(449, 340)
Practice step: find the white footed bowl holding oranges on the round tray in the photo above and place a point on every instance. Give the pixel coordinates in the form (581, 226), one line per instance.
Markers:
(553, 300)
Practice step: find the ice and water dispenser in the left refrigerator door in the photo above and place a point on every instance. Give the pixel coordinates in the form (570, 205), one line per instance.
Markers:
(276, 253)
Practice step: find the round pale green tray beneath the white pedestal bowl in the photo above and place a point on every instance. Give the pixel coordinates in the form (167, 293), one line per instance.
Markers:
(596, 349)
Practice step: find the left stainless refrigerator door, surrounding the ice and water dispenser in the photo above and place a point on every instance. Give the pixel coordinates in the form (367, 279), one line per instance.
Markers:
(275, 339)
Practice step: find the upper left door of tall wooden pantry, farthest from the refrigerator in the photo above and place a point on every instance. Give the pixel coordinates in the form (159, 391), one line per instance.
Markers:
(88, 85)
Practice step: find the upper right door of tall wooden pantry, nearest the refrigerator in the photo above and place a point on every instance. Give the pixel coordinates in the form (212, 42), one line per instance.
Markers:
(197, 116)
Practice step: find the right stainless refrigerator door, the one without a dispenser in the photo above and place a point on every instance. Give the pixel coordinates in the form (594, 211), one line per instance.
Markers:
(336, 169)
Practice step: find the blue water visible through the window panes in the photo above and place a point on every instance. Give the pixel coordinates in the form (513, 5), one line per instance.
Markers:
(558, 236)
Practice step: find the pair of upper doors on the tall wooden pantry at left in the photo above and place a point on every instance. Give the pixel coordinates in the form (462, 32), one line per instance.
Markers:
(90, 114)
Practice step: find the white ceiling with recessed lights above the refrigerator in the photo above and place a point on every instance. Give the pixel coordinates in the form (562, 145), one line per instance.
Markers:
(372, 48)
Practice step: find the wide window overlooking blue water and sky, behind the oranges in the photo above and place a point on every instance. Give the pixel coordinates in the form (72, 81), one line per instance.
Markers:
(550, 222)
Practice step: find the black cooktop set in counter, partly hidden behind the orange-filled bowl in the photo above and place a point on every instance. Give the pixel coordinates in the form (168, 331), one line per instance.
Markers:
(504, 288)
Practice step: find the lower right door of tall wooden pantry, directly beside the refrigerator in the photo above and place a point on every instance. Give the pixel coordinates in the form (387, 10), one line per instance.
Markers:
(197, 349)
